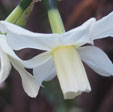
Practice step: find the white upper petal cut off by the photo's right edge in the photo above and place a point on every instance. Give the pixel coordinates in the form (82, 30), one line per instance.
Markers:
(102, 28)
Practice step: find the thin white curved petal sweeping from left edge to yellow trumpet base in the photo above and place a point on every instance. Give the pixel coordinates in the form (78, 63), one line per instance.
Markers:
(31, 63)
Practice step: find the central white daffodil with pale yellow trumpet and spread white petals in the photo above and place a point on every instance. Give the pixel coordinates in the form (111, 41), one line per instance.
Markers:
(65, 51)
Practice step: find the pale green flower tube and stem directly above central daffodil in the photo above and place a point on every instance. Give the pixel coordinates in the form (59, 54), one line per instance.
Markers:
(54, 16)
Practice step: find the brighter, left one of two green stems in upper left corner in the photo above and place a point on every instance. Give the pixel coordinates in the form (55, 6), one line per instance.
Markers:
(18, 11)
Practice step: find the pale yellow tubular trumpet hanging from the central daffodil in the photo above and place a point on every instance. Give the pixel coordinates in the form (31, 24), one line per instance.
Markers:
(70, 72)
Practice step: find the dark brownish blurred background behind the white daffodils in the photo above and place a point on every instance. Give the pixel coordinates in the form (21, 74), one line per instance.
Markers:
(50, 98)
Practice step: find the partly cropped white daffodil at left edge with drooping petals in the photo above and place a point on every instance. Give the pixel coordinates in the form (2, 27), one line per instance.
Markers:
(8, 57)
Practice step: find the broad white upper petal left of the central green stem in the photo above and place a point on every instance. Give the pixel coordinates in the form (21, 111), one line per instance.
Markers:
(19, 38)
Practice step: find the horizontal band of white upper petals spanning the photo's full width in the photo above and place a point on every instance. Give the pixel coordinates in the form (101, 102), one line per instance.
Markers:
(81, 35)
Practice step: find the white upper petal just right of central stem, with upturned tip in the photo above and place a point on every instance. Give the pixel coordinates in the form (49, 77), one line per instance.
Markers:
(78, 36)
